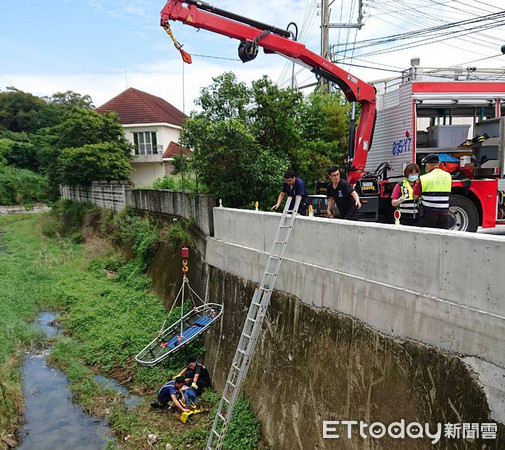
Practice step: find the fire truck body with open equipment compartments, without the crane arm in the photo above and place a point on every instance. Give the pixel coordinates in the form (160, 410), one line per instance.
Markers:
(457, 113)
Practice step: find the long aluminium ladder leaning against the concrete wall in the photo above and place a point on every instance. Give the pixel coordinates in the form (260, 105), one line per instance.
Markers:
(252, 328)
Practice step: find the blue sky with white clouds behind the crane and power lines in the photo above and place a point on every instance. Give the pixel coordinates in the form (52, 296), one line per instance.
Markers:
(102, 47)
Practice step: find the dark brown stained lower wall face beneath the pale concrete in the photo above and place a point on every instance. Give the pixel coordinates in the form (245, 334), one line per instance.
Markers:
(312, 365)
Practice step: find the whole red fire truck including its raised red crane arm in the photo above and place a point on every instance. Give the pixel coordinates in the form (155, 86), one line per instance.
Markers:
(453, 112)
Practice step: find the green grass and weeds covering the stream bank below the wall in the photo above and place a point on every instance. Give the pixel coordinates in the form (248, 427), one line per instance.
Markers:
(106, 322)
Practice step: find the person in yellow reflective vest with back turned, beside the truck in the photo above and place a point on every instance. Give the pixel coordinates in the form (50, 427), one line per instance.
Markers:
(435, 190)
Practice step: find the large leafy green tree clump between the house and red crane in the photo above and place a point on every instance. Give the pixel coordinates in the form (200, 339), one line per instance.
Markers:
(245, 138)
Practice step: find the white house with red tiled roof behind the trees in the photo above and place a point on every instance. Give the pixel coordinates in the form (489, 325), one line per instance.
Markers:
(153, 126)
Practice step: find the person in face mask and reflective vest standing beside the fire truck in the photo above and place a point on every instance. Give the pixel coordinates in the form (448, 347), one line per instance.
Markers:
(403, 196)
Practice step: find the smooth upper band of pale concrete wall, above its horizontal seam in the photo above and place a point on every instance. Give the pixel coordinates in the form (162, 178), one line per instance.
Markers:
(443, 264)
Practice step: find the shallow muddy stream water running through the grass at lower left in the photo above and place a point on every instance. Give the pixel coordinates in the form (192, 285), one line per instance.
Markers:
(52, 420)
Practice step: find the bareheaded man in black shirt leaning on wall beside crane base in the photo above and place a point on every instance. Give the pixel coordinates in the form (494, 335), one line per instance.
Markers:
(343, 194)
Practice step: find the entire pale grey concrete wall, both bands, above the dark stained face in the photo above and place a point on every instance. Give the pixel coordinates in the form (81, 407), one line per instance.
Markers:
(441, 288)
